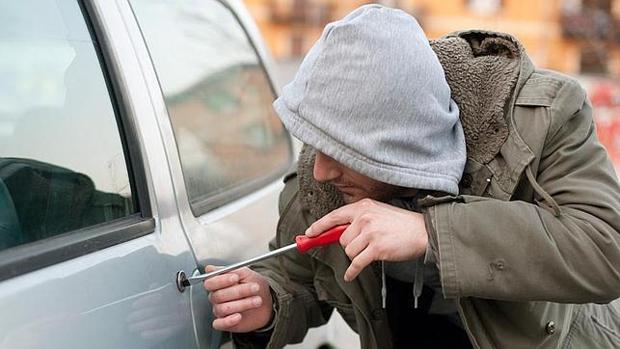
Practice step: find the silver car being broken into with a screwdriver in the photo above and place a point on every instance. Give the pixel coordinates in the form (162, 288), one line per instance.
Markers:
(137, 143)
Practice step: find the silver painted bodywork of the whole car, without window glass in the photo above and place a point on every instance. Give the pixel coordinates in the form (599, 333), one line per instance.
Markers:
(126, 295)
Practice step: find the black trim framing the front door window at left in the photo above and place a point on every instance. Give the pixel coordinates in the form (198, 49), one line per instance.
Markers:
(32, 256)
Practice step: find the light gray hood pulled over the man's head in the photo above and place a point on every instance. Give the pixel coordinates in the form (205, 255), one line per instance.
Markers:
(372, 94)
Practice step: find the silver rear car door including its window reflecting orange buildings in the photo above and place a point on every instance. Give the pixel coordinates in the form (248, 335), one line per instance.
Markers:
(227, 149)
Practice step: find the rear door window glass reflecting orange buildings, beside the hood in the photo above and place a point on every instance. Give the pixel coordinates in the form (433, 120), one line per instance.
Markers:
(218, 98)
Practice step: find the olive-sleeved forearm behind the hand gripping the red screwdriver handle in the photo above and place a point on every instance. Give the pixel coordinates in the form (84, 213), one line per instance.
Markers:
(518, 251)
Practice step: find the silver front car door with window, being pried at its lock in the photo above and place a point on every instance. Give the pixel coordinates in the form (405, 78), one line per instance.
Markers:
(90, 237)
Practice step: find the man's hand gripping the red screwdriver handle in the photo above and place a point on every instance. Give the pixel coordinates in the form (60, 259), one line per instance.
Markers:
(378, 231)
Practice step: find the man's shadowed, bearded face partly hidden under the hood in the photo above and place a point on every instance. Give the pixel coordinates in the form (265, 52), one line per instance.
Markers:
(354, 186)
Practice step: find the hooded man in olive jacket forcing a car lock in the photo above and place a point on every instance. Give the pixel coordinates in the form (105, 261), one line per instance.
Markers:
(514, 245)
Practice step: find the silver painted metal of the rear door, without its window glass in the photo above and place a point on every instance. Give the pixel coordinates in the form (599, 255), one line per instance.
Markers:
(230, 233)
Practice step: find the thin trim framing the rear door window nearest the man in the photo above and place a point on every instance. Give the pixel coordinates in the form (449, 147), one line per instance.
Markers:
(206, 203)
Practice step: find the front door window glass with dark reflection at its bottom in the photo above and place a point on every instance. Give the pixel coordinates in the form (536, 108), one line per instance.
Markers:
(62, 164)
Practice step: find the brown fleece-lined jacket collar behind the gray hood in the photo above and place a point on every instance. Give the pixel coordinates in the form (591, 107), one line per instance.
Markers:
(506, 69)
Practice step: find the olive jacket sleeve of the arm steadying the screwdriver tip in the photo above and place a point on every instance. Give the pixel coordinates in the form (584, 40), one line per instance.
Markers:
(291, 278)
